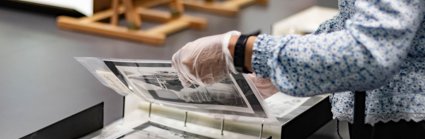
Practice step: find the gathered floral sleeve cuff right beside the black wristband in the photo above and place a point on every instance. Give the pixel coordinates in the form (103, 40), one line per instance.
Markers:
(262, 52)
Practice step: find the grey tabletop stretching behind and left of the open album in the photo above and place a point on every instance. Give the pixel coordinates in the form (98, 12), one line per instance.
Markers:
(42, 83)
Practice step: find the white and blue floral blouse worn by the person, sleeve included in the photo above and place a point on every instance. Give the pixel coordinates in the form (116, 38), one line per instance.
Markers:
(374, 45)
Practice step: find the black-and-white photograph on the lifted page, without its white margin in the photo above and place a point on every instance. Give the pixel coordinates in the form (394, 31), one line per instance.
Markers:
(158, 82)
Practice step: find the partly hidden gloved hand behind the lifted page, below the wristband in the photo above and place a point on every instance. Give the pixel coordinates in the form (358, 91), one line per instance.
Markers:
(264, 86)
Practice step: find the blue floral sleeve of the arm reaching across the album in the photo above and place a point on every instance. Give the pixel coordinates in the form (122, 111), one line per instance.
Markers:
(363, 56)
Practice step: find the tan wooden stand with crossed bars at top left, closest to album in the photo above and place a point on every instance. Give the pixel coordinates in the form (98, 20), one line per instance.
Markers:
(155, 35)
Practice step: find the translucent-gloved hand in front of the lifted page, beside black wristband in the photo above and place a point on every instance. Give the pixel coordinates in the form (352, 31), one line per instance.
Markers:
(204, 61)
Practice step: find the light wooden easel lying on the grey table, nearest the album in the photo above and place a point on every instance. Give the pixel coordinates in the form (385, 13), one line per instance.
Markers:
(135, 12)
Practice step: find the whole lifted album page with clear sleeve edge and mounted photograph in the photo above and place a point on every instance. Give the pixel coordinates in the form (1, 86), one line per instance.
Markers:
(157, 82)
